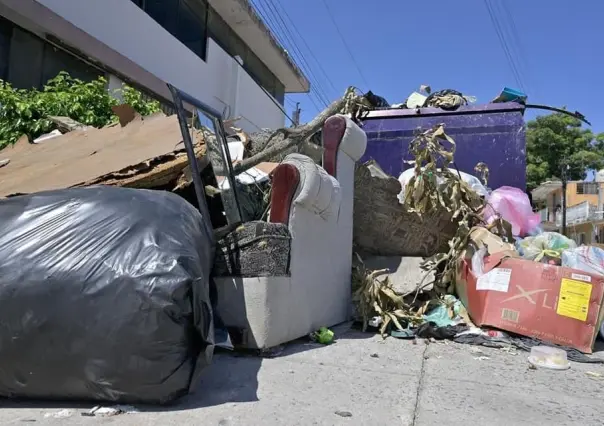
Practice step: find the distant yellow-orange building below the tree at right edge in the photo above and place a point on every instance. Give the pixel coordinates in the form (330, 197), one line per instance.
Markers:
(584, 209)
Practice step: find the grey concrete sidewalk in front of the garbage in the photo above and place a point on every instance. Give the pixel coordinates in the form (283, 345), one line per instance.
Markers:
(364, 380)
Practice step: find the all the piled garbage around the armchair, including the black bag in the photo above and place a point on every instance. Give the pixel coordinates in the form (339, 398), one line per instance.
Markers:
(491, 276)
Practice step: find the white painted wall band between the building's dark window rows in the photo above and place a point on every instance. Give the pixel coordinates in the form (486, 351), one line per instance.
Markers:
(219, 81)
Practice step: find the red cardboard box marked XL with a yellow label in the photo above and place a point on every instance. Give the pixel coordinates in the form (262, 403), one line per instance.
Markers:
(551, 303)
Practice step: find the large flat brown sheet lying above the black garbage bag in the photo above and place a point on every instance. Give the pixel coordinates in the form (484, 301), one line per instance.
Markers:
(144, 154)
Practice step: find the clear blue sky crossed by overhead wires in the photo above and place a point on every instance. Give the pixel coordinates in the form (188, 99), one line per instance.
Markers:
(400, 44)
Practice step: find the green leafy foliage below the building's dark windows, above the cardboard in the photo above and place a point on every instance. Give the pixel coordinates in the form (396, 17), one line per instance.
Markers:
(26, 112)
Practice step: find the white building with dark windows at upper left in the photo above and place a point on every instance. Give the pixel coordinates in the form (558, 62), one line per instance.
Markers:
(218, 51)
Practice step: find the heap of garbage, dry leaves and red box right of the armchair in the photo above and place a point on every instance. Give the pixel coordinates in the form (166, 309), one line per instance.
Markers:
(494, 277)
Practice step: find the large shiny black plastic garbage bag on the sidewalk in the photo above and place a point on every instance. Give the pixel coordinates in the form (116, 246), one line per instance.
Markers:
(104, 295)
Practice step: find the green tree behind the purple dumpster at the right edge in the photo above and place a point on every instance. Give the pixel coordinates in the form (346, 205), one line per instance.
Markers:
(558, 140)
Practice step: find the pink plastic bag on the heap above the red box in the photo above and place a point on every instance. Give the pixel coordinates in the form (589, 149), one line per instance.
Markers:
(512, 205)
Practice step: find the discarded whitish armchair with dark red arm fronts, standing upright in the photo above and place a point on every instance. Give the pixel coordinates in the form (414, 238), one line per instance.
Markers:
(311, 220)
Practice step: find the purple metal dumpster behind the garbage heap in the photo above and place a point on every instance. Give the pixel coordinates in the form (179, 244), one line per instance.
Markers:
(492, 133)
